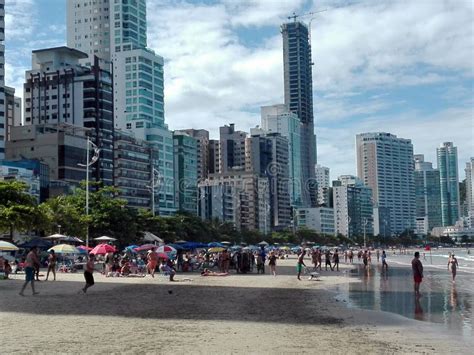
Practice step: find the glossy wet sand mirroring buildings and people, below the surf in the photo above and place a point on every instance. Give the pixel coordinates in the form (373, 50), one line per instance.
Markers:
(442, 301)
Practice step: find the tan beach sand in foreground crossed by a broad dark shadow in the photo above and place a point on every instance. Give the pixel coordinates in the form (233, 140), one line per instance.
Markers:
(235, 314)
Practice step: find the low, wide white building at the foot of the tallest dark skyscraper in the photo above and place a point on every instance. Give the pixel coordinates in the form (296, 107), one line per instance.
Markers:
(319, 219)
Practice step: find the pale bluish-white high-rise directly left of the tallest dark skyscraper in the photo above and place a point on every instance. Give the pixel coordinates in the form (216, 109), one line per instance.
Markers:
(278, 119)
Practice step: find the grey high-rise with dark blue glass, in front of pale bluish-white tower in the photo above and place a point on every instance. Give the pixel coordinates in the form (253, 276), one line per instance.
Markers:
(267, 156)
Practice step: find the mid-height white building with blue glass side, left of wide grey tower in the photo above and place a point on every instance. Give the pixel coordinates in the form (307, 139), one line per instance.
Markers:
(353, 208)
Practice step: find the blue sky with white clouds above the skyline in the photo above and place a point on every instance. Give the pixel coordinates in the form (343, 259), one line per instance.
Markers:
(404, 67)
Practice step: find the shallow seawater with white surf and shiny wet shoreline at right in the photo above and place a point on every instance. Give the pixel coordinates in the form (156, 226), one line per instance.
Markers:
(444, 302)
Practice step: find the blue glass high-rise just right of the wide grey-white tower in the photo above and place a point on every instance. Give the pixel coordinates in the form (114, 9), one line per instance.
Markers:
(428, 196)
